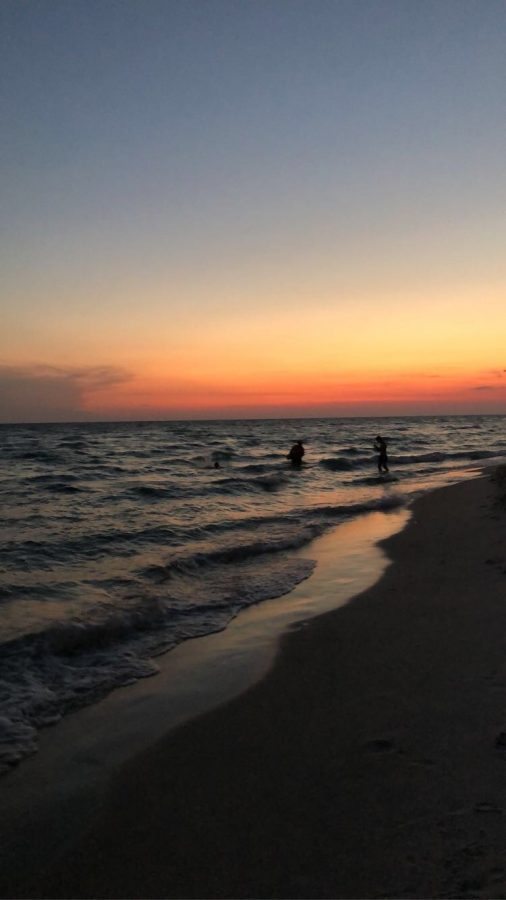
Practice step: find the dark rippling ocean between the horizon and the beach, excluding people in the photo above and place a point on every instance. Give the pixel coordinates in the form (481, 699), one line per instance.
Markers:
(121, 540)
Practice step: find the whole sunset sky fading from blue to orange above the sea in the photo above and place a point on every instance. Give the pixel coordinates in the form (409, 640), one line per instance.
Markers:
(252, 208)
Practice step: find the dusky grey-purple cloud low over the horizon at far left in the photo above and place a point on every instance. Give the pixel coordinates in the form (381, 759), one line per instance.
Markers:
(42, 393)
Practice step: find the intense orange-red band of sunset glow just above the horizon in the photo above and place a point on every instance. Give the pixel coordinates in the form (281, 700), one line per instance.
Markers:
(345, 393)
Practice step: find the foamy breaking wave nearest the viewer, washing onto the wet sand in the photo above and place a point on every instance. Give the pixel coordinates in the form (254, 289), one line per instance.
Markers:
(72, 664)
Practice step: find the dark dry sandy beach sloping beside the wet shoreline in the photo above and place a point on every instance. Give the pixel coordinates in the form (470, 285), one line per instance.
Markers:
(370, 761)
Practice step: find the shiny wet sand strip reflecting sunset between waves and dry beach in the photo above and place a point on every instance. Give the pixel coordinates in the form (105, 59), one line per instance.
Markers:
(80, 754)
